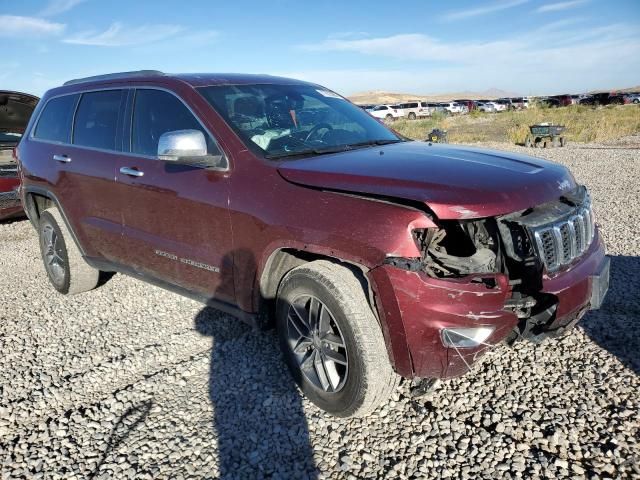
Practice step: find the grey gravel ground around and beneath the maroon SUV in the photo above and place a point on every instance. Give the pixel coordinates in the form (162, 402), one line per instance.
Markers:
(130, 381)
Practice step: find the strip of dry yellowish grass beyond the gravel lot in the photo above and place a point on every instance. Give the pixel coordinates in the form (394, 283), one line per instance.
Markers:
(584, 124)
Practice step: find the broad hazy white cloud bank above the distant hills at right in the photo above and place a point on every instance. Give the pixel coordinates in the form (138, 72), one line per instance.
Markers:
(569, 58)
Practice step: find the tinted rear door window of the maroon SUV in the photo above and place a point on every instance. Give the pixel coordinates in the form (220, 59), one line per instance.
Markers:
(96, 122)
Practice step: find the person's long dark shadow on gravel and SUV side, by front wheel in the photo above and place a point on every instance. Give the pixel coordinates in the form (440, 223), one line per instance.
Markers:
(258, 419)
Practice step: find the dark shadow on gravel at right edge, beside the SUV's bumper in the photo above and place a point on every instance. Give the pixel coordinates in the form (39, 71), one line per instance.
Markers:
(615, 327)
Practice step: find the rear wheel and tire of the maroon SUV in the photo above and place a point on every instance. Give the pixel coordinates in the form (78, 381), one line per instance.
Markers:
(68, 272)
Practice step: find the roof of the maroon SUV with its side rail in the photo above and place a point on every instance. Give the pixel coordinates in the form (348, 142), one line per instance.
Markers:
(192, 79)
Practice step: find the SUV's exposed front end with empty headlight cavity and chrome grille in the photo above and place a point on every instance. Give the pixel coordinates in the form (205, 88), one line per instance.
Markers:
(521, 245)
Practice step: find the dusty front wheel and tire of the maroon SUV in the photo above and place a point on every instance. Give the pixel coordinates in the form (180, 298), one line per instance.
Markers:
(368, 378)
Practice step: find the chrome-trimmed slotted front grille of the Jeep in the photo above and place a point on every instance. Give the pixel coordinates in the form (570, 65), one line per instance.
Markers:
(561, 242)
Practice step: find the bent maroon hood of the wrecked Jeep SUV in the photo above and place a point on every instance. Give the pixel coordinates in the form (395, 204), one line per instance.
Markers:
(455, 182)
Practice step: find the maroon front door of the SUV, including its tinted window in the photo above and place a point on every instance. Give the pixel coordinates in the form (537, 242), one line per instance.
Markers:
(176, 225)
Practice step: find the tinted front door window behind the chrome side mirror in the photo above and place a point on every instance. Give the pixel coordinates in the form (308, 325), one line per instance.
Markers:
(156, 112)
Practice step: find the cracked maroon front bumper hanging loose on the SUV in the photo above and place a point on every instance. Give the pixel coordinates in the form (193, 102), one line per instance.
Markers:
(416, 308)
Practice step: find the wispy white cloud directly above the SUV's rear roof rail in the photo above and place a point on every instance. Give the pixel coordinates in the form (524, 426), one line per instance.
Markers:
(117, 35)
